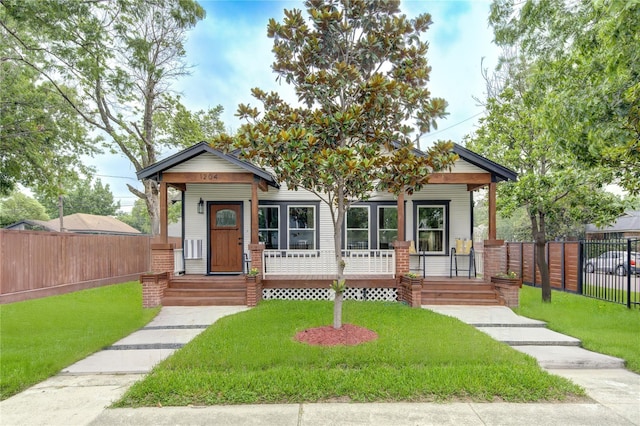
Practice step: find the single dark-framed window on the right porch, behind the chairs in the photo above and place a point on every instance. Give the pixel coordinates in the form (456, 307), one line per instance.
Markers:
(431, 229)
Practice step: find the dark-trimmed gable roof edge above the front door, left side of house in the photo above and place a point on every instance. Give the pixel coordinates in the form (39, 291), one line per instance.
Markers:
(155, 170)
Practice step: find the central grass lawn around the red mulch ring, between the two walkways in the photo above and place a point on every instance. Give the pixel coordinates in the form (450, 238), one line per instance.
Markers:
(252, 357)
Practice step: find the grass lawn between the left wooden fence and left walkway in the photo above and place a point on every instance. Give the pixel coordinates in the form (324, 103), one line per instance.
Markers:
(40, 337)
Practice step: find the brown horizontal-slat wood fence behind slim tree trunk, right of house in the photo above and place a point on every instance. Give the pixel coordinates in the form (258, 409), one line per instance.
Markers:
(563, 259)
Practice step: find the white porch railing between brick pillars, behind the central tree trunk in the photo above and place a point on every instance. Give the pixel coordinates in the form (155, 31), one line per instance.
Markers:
(323, 262)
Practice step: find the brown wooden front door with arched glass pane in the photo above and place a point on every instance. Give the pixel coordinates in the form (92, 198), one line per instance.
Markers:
(225, 236)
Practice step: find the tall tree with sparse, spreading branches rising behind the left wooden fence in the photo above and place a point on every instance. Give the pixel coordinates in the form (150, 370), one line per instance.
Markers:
(122, 56)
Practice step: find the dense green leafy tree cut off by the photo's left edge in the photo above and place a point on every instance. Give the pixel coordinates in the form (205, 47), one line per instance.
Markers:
(41, 137)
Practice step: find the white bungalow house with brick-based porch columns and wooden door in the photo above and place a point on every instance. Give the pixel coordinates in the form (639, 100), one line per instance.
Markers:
(238, 216)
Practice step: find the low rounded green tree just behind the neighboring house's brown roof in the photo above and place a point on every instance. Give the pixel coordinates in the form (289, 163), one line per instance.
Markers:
(82, 198)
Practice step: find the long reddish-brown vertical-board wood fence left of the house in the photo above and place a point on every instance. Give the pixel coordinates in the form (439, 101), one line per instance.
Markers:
(36, 264)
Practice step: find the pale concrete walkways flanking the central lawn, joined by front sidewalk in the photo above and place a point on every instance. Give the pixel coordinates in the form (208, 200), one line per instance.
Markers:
(80, 393)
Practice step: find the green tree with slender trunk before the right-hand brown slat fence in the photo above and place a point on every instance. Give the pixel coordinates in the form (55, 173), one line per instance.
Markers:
(519, 133)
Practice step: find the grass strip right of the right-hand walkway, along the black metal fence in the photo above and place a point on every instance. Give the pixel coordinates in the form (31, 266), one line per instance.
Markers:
(604, 327)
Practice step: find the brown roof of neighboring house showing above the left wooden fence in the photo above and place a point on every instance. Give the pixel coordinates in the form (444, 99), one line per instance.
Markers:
(80, 223)
